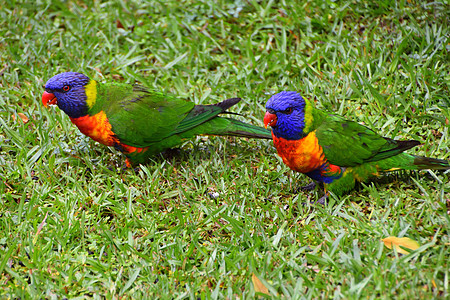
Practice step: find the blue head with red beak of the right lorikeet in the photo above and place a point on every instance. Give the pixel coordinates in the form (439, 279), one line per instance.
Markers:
(286, 115)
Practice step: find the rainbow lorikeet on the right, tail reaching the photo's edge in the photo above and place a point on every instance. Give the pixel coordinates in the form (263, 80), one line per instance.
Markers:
(330, 149)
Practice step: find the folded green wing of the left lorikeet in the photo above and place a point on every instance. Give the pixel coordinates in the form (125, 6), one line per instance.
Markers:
(140, 117)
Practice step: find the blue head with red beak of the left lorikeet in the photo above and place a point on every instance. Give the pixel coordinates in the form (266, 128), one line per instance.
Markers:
(68, 91)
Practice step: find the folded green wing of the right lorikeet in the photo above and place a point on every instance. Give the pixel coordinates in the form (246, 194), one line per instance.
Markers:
(346, 143)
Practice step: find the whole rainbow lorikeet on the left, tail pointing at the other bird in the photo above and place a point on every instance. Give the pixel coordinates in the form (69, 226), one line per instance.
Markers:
(137, 121)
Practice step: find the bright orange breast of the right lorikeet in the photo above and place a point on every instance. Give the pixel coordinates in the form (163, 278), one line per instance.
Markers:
(303, 155)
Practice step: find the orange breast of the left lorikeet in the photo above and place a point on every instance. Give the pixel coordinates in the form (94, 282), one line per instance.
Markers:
(96, 127)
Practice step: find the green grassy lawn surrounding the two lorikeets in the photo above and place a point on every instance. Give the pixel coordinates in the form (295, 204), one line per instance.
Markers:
(200, 222)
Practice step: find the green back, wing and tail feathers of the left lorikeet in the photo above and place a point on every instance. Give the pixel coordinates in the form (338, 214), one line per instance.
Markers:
(140, 117)
